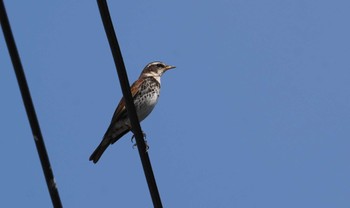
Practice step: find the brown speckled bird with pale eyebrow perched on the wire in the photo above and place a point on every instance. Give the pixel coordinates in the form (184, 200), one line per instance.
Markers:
(145, 92)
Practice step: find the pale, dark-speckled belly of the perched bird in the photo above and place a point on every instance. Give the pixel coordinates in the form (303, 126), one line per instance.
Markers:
(145, 104)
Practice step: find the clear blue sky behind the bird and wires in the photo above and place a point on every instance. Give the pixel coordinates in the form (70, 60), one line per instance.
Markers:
(256, 114)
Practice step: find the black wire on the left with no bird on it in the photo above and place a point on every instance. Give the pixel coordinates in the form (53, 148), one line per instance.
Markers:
(28, 103)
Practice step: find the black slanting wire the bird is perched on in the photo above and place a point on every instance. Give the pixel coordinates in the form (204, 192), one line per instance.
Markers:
(124, 83)
